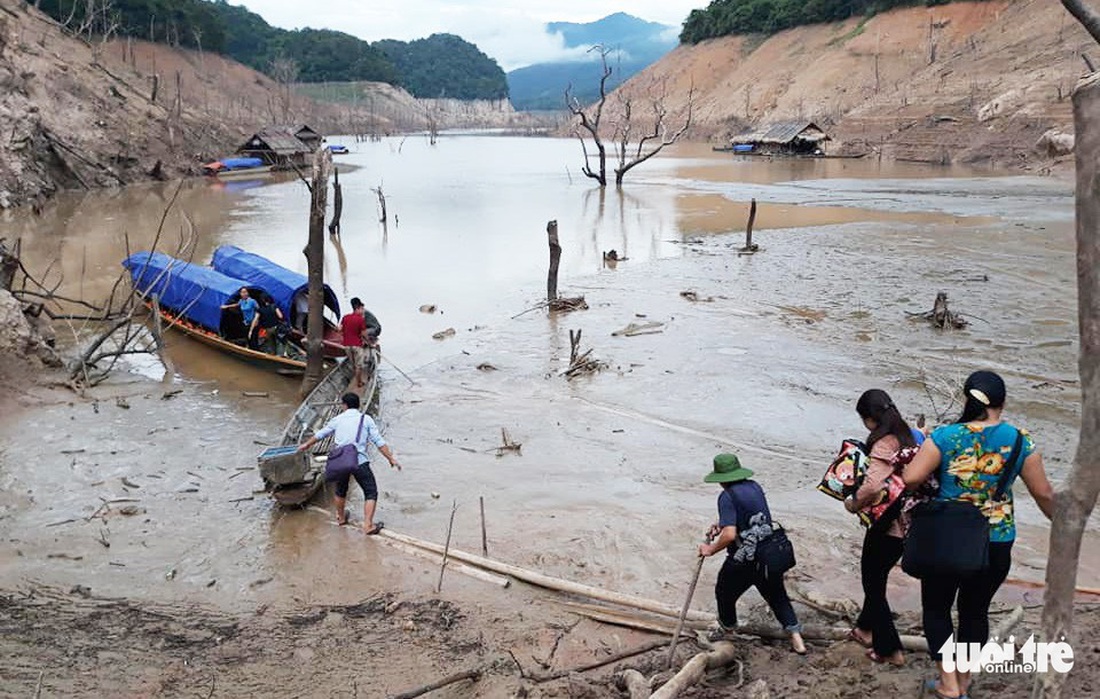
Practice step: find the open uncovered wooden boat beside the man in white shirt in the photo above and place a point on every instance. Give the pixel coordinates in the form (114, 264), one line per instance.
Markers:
(293, 479)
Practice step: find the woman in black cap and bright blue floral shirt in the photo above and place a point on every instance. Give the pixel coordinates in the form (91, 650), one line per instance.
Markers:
(969, 458)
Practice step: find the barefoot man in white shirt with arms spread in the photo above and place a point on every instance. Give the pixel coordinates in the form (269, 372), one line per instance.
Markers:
(345, 428)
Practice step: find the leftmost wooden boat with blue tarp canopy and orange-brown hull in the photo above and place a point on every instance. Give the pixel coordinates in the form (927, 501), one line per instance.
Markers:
(191, 298)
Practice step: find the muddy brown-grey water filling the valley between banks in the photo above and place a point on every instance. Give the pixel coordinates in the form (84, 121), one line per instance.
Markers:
(607, 489)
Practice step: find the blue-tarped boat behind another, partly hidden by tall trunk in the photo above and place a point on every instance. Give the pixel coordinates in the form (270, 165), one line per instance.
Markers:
(287, 288)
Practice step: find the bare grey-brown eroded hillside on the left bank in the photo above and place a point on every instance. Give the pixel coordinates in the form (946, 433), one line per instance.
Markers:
(73, 121)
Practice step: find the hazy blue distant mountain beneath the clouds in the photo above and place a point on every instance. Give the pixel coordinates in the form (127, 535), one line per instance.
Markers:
(636, 45)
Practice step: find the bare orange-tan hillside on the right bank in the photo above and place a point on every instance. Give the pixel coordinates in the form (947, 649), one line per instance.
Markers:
(963, 83)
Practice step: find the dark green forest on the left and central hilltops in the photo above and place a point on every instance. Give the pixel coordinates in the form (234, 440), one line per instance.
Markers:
(441, 65)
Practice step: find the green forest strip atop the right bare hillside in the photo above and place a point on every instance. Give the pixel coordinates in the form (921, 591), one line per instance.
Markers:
(767, 17)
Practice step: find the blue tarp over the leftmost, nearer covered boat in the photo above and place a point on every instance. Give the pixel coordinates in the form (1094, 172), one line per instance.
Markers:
(192, 291)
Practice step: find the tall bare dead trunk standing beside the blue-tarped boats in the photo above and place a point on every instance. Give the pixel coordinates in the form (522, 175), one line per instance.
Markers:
(315, 259)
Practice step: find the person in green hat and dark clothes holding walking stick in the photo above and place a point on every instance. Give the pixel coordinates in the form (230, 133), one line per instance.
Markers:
(744, 519)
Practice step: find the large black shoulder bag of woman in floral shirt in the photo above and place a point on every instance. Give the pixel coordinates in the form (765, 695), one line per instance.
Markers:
(951, 538)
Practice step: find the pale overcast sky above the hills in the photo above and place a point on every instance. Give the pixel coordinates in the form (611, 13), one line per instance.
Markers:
(511, 31)
